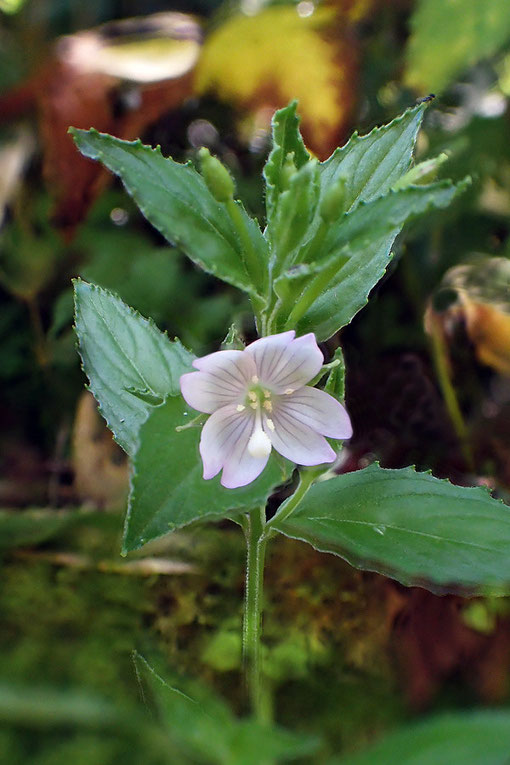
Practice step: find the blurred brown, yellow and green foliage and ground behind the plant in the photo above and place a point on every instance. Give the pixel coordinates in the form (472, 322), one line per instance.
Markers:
(349, 654)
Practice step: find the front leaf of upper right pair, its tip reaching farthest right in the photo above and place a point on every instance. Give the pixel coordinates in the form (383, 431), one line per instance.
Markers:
(356, 255)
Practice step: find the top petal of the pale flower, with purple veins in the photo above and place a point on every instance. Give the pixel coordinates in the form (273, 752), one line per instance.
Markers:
(284, 363)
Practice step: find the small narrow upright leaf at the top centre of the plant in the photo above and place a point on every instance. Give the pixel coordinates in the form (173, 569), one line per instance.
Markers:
(286, 140)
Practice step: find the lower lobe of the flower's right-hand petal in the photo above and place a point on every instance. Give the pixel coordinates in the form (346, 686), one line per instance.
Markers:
(297, 441)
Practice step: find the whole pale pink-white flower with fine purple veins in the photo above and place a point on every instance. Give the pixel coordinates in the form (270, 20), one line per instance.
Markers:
(258, 398)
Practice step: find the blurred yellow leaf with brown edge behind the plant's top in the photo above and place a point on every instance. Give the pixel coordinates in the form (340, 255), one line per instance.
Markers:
(261, 62)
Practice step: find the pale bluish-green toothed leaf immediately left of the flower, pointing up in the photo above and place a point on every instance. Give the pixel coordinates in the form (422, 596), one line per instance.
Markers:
(128, 361)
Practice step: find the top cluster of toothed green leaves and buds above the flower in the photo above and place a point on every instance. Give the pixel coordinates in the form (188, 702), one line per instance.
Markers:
(330, 225)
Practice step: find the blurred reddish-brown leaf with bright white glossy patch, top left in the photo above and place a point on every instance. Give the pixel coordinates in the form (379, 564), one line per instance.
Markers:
(119, 79)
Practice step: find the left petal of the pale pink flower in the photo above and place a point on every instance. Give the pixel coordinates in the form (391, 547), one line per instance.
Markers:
(222, 379)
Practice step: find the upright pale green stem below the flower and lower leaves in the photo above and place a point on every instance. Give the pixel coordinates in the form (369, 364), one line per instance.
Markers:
(252, 624)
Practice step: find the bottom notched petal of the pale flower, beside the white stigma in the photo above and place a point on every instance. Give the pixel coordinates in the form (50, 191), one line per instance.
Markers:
(224, 443)
